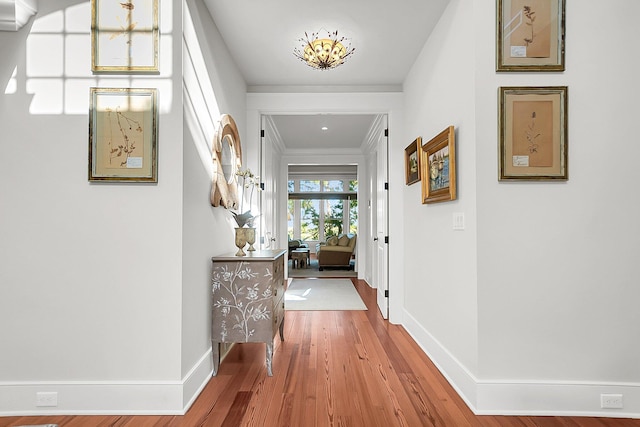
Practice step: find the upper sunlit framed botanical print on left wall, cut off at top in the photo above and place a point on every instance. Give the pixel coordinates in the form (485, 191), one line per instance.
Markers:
(124, 36)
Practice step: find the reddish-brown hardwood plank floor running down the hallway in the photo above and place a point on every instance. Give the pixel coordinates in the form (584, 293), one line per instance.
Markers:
(347, 368)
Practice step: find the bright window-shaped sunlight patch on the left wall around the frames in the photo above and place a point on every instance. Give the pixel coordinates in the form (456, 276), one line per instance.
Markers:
(58, 64)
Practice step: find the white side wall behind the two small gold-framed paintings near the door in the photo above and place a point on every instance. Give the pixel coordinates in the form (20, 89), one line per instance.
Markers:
(440, 263)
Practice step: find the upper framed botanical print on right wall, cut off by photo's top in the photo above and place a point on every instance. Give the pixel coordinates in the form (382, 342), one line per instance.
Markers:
(530, 35)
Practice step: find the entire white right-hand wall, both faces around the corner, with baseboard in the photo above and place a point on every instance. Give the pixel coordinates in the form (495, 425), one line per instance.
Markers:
(536, 314)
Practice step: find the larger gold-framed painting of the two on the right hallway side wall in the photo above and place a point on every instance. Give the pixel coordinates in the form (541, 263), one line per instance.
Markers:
(438, 166)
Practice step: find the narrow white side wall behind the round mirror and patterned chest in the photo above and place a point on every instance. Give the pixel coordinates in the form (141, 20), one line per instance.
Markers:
(208, 230)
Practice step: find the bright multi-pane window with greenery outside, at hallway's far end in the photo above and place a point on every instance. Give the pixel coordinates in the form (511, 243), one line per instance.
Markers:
(319, 208)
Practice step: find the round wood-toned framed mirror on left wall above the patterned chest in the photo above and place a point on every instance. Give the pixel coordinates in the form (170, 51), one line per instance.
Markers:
(227, 159)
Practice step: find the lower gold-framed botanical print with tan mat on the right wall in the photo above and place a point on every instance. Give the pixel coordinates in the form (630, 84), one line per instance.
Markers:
(533, 133)
